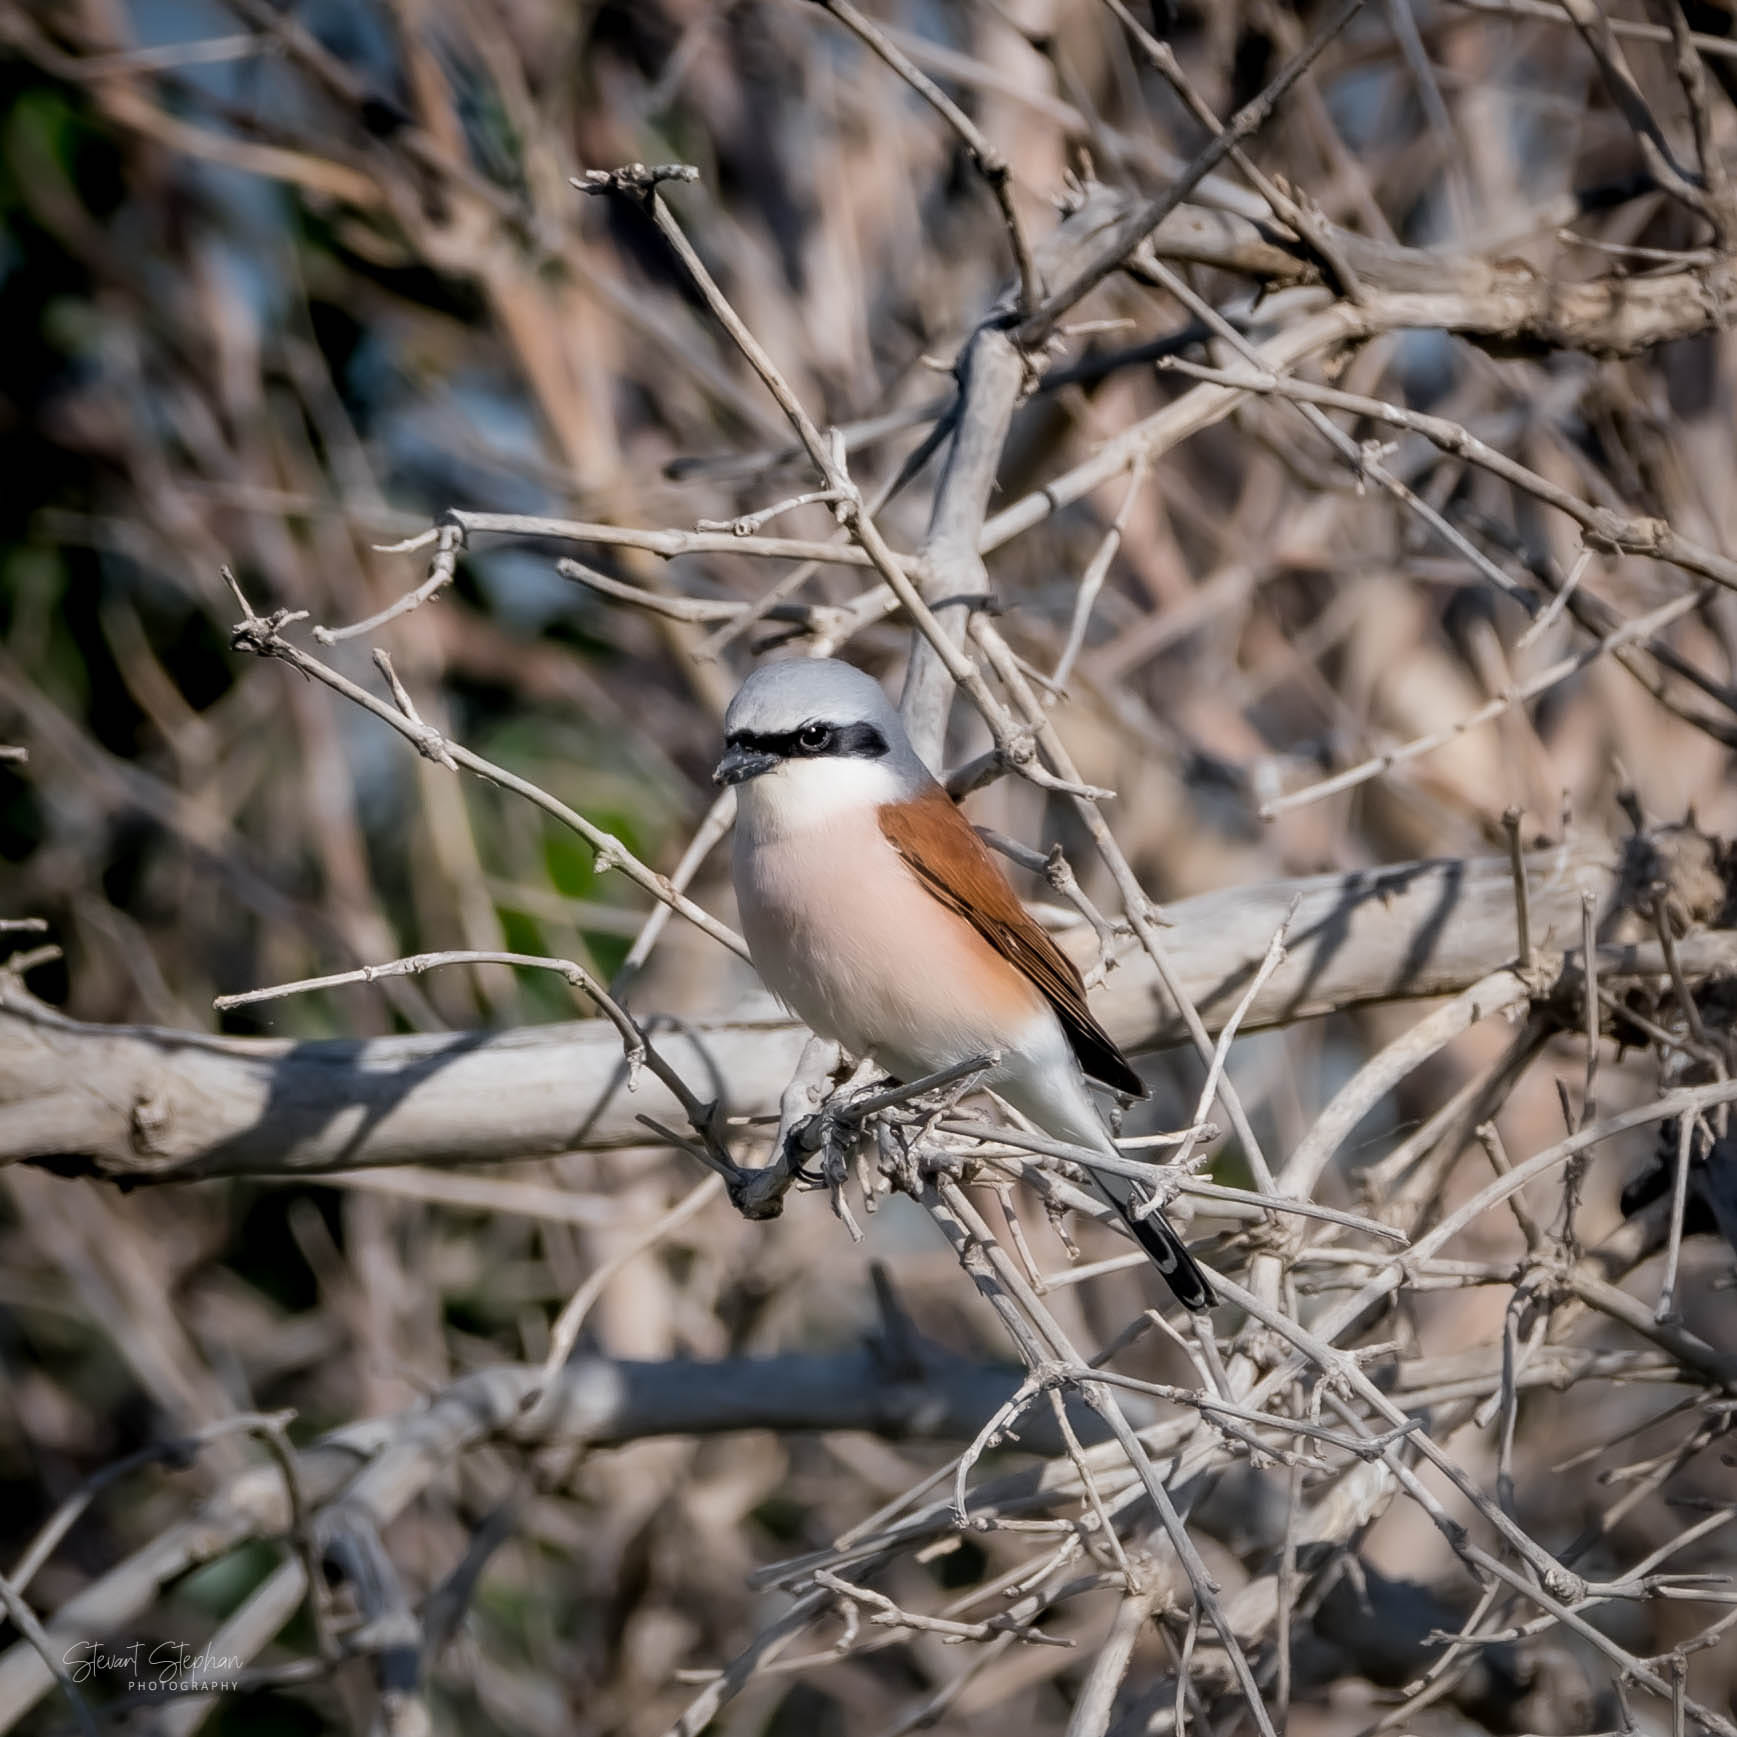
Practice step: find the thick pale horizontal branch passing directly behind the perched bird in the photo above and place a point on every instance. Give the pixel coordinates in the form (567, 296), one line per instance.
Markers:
(143, 1104)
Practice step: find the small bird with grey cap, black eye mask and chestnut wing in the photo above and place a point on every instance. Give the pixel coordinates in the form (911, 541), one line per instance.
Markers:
(880, 918)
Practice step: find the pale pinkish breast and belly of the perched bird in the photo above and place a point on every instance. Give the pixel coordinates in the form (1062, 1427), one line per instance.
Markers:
(854, 944)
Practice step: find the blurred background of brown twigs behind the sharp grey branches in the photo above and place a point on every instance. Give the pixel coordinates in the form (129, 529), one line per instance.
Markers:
(282, 286)
